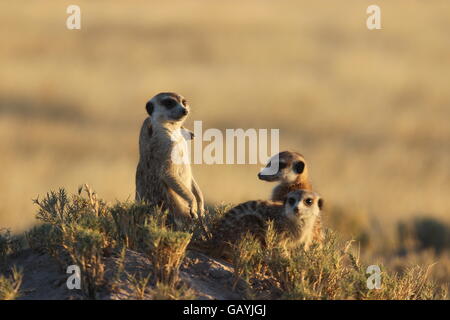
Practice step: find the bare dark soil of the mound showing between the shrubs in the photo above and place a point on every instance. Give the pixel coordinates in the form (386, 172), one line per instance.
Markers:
(44, 279)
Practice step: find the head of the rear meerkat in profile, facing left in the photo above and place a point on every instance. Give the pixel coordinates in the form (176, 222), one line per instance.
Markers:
(286, 167)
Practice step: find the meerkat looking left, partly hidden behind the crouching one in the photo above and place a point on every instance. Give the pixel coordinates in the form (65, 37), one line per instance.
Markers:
(291, 171)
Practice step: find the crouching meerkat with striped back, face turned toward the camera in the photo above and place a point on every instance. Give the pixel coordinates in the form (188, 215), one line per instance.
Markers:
(293, 222)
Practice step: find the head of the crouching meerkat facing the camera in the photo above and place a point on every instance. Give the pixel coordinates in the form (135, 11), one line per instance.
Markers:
(302, 204)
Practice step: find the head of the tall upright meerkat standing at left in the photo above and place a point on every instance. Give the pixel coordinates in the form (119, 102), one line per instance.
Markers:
(168, 107)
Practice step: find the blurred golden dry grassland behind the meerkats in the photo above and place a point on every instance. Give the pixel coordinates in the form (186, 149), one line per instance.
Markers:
(368, 109)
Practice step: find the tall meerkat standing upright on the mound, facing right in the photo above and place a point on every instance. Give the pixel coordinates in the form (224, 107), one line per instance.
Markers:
(163, 175)
